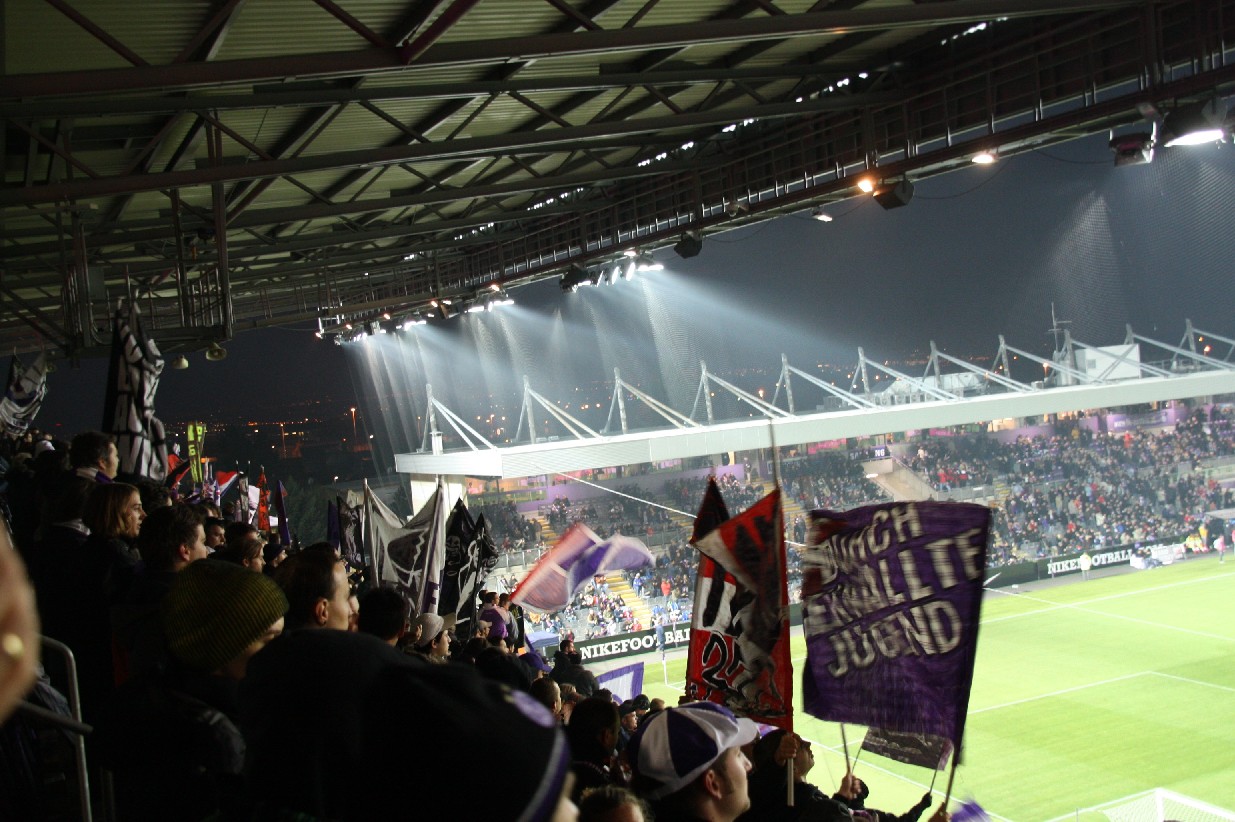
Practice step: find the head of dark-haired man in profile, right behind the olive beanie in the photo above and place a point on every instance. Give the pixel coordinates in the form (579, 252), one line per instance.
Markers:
(316, 583)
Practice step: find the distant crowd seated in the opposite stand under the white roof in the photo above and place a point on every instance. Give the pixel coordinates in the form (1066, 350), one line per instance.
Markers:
(1065, 493)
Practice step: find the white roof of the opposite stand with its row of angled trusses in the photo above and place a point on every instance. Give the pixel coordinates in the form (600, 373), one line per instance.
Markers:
(952, 392)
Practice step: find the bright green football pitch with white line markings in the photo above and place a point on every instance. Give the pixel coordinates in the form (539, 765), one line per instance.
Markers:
(1085, 693)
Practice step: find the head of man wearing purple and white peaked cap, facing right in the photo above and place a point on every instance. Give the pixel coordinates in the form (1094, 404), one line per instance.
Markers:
(689, 763)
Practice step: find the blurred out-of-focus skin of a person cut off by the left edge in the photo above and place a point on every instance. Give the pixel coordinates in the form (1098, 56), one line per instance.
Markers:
(19, 629)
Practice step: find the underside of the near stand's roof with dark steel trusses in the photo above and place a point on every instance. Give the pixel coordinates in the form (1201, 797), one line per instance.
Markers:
(235, 165)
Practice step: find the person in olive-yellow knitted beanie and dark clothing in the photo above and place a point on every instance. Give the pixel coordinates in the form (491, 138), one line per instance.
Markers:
(171, 737)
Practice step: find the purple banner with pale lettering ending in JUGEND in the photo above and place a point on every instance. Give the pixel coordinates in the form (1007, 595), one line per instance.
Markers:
(892, 596)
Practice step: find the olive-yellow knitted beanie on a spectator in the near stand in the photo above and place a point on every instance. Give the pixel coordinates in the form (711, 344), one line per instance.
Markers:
(216, 610)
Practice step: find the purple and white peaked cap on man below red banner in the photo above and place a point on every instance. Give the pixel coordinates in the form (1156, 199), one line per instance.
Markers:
(675, 746)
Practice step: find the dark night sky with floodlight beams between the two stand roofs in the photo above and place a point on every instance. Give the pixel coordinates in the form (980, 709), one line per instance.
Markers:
(976, 254)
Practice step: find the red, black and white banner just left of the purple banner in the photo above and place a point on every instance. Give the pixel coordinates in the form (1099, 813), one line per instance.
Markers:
(740, 628)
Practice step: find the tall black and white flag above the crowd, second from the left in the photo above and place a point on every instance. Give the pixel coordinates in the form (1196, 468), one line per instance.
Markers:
(129, 407)
